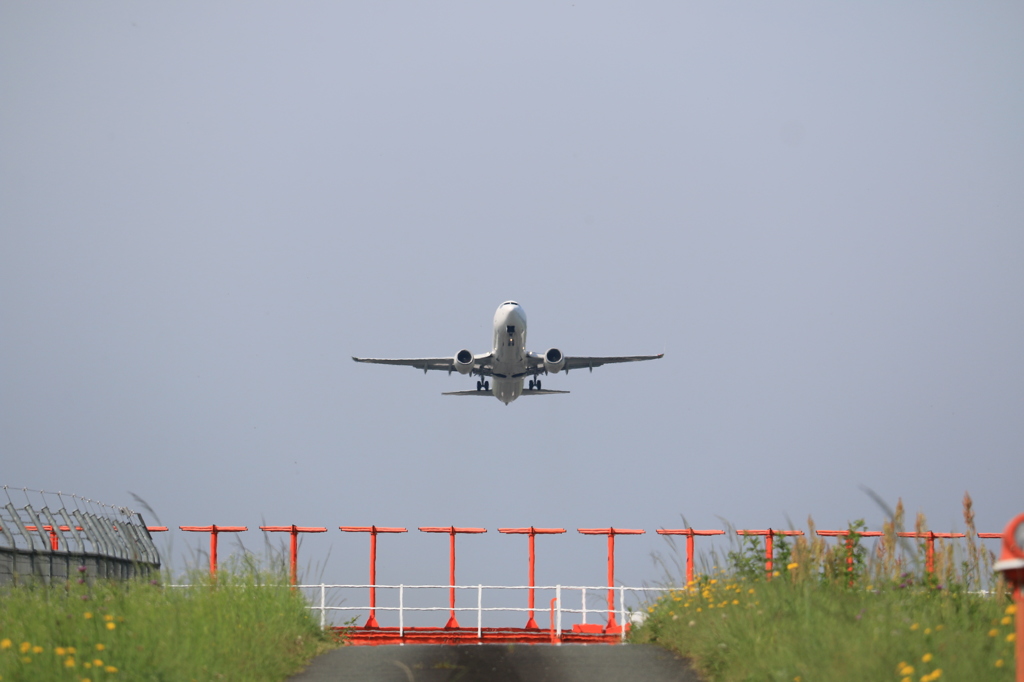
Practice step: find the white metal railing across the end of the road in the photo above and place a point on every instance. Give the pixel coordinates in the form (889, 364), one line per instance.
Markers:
(622, 613)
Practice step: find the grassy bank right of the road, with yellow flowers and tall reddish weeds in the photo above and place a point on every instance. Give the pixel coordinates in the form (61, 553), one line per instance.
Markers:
(818, 618)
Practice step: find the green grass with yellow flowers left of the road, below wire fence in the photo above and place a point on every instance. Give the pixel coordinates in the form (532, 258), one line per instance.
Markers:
(248, 626)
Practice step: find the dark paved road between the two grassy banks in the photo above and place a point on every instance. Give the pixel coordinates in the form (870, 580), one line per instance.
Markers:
(499, 663)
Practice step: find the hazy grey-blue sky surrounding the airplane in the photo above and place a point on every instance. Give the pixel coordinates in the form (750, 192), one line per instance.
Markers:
(814, 208)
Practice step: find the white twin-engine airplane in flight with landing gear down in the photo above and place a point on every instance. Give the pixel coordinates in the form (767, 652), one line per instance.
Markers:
(509, 364)
